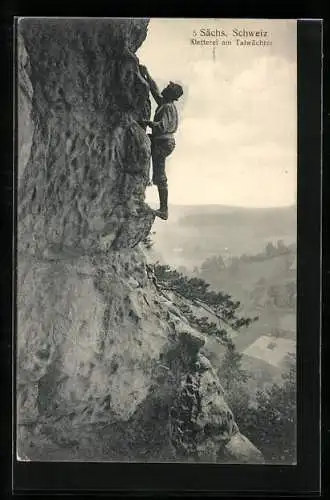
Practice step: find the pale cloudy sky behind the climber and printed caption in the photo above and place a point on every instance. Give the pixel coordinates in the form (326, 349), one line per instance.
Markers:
(236, 143)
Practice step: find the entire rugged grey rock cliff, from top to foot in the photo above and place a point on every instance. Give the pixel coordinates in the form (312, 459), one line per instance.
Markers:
(106, 368)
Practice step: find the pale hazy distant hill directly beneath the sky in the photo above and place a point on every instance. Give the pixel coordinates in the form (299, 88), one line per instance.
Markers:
(193, 233)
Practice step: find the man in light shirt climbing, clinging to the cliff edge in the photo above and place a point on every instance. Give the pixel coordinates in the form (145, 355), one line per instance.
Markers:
(163, 128)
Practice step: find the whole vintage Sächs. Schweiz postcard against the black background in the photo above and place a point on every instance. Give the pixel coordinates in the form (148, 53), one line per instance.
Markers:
(156, 240)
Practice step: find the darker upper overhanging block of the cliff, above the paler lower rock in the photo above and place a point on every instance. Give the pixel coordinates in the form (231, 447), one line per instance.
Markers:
(84, 183)
